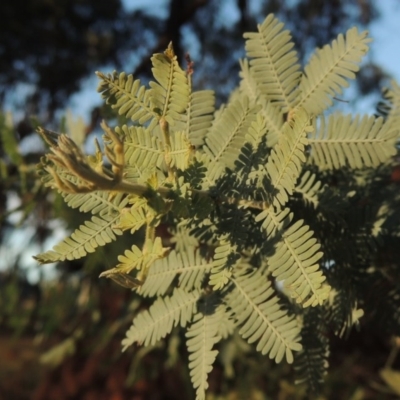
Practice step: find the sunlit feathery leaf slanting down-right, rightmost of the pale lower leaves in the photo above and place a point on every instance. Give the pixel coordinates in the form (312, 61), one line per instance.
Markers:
(295, 262)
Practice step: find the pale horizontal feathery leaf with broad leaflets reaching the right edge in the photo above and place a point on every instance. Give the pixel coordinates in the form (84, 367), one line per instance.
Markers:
(360, 142)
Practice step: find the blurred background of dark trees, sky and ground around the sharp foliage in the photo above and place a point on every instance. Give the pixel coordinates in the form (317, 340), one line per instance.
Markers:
(60, 329)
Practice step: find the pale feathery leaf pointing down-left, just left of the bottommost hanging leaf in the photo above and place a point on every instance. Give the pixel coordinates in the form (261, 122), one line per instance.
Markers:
(152, 325)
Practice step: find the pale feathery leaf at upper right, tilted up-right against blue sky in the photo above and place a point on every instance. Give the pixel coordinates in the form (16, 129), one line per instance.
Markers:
(330, 68)
